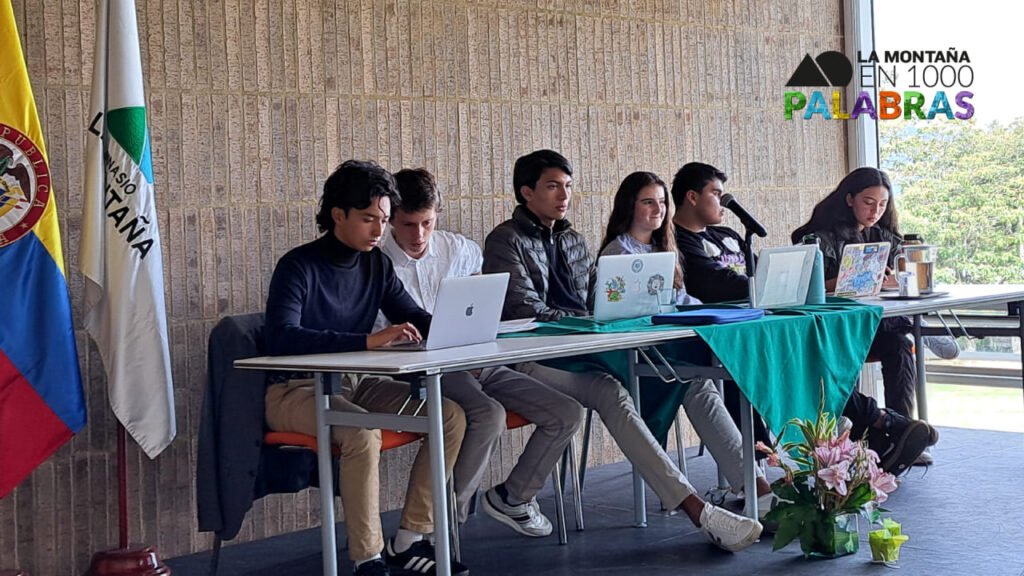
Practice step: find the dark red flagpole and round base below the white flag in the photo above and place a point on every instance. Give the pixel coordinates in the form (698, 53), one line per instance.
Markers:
(135, 560)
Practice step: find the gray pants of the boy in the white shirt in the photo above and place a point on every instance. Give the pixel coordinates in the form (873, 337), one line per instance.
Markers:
(485, 397)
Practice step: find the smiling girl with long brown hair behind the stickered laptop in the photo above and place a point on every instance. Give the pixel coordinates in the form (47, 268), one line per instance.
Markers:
(642, 223)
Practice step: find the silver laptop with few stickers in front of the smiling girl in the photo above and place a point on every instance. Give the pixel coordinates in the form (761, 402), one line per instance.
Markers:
(628, 285)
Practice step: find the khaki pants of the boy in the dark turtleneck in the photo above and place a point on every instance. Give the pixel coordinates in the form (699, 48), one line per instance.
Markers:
(291, 407)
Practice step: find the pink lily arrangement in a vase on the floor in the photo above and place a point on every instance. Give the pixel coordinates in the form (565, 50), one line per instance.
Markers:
(830, 480)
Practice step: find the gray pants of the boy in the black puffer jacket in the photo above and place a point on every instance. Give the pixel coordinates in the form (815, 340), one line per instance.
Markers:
(704, 407)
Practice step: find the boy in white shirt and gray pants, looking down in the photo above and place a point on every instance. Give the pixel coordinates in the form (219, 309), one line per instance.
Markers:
(422, 258)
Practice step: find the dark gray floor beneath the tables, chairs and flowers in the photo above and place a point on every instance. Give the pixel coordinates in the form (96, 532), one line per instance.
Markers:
(964, 516)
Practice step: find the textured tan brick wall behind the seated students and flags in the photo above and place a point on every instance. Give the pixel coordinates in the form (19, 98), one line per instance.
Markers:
(252, 103)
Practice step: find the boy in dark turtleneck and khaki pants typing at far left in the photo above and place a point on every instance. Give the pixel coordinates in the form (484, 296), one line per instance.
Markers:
(324, 298)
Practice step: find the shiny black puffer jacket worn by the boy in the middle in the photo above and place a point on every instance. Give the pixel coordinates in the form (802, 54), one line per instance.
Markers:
(519, 246)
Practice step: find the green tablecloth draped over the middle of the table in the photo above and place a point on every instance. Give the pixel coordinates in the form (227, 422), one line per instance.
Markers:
(779, 362)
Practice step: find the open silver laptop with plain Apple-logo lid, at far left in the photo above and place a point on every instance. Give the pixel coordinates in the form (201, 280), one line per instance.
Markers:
(466, 313)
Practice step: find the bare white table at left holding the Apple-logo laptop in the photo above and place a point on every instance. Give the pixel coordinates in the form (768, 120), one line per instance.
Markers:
(329, 367)
